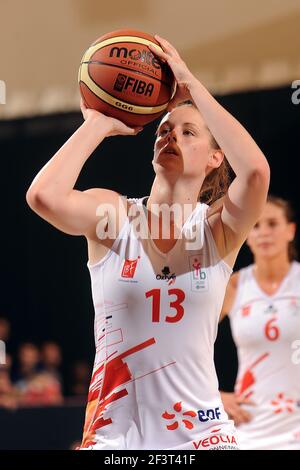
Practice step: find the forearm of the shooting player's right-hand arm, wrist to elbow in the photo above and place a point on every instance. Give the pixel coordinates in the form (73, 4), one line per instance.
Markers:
(242, 152)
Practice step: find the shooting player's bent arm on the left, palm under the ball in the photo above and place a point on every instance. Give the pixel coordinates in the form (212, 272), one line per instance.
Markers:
(52, 195)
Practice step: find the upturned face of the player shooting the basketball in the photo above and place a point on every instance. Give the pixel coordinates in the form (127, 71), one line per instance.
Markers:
(183, 144)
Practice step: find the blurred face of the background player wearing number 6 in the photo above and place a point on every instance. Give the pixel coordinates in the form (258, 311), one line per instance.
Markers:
(271, 234)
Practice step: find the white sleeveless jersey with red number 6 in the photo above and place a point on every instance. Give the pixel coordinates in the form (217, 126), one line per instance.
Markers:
(266, 330)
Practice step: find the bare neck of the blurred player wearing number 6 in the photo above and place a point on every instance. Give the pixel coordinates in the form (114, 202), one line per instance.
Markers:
(272, 269)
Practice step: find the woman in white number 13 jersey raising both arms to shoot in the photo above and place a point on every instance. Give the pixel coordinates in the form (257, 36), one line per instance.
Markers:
(157, 299)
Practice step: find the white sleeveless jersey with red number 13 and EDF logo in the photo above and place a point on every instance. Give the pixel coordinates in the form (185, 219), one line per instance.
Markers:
(154, 384)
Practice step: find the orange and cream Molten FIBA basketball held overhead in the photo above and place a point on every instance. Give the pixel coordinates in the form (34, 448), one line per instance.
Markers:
(120, 77)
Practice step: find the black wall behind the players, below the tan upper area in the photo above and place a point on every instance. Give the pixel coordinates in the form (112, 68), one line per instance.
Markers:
(45, 286)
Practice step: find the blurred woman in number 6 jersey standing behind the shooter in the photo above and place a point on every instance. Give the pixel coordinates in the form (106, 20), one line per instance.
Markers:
(263, 303)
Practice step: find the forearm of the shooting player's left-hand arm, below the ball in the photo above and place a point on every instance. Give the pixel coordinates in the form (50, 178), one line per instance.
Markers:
(58, 177)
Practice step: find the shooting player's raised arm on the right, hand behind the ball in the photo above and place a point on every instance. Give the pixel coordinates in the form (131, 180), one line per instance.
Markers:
(245, 199)
